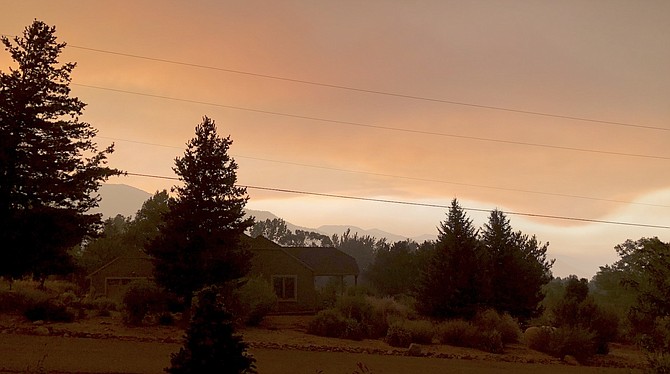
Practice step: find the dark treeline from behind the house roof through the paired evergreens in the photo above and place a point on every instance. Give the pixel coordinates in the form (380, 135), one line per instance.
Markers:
(465, 270)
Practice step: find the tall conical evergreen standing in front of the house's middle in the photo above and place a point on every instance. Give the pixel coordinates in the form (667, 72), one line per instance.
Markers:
(199, 242)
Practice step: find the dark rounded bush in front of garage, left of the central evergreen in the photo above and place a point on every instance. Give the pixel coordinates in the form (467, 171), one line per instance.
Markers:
(141, 298)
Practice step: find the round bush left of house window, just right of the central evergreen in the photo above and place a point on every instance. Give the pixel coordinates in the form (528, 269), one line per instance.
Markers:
(255, 299)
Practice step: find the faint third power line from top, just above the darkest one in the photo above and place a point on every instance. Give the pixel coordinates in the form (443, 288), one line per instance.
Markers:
(411, 178)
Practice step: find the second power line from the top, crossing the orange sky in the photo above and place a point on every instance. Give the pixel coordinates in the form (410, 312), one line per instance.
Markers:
(377, 127)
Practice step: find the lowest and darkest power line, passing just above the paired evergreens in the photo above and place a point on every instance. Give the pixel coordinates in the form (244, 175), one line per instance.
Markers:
(409, 203)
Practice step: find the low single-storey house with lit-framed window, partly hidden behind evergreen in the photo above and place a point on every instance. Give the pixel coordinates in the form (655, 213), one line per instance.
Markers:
(291, 271)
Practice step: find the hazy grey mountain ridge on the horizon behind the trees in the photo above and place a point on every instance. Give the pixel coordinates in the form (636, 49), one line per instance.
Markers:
(127, 200)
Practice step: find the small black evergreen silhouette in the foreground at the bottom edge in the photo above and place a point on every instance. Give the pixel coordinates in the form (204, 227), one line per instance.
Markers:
(210, 344)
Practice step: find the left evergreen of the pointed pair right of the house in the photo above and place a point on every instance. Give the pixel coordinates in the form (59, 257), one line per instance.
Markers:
(452, 283)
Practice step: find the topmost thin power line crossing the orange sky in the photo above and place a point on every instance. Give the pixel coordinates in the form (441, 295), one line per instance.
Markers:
(375, 92)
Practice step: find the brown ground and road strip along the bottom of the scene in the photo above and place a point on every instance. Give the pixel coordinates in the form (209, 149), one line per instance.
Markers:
(280, 344)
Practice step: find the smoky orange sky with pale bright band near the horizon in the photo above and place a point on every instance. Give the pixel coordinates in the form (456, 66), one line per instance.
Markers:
(543, 108)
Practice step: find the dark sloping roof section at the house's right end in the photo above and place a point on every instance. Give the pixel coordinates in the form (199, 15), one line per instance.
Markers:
(325, 260)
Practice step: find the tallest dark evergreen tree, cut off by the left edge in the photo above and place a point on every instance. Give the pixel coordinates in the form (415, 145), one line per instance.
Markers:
(50, 167)
